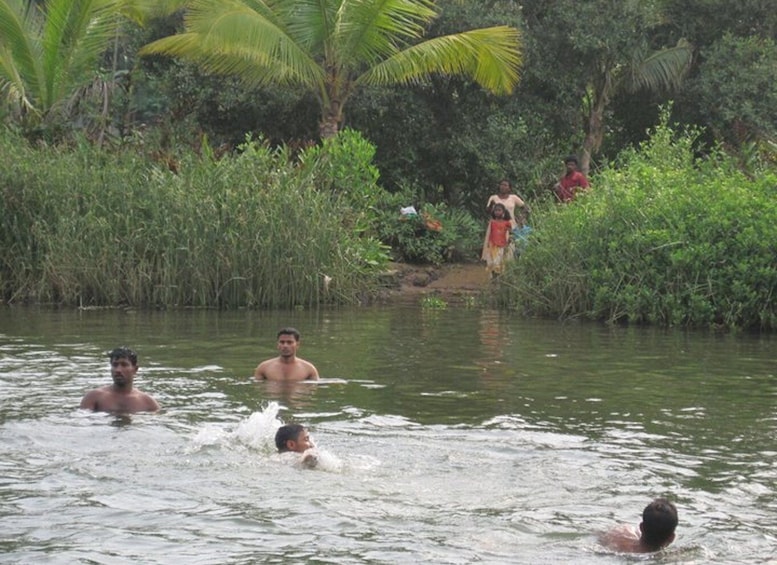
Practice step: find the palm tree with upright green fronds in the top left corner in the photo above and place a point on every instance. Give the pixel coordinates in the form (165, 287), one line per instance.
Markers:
(50, 54)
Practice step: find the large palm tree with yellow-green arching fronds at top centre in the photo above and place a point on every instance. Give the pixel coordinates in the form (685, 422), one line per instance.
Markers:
(331, 47)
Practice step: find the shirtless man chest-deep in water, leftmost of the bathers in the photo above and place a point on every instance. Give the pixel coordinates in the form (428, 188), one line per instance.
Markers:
(120, 397)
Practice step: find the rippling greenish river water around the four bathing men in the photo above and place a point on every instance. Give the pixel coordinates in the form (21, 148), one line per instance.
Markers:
(445, 436)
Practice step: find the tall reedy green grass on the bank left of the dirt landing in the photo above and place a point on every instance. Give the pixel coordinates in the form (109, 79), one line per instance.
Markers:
(83, 227)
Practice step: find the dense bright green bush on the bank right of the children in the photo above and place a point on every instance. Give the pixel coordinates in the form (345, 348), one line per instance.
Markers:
(664, 238)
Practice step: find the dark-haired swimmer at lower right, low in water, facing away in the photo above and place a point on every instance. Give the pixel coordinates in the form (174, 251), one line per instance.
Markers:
(656, 531)
